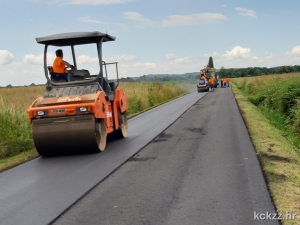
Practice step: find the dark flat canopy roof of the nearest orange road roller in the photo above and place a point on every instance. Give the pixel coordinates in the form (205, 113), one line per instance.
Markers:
(74, 38)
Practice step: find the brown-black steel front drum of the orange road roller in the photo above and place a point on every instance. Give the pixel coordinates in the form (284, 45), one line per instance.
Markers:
(67, 135)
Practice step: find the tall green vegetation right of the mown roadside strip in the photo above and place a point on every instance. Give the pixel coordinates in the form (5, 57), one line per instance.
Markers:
(278, 98)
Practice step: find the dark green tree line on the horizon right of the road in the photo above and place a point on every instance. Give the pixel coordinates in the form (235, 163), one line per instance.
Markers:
(257, 71)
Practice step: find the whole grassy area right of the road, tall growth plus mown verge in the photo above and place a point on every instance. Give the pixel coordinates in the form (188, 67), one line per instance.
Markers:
(270, 107)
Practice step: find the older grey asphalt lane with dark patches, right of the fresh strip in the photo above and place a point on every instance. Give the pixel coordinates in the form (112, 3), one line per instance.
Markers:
(201, 170)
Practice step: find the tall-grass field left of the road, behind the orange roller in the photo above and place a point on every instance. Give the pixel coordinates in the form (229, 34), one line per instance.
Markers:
(15, 130)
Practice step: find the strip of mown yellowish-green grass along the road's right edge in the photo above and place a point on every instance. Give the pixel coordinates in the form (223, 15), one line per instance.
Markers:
(280, 160)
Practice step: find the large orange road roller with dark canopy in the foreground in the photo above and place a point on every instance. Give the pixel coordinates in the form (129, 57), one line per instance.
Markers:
(76, 114)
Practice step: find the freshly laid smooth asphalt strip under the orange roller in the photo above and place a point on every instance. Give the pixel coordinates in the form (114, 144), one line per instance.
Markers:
(39, 191)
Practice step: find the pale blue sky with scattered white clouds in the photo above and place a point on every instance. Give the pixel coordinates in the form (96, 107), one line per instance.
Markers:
(152, 36)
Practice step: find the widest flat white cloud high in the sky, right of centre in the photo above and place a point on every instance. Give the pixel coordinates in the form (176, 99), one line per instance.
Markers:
(192, 19)
